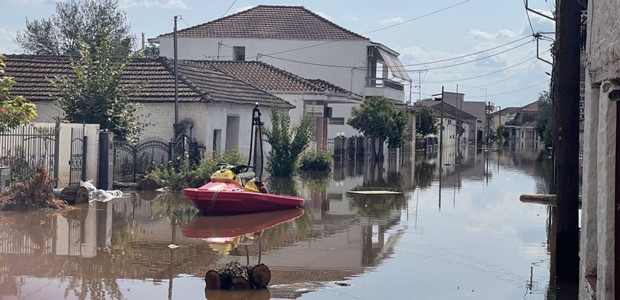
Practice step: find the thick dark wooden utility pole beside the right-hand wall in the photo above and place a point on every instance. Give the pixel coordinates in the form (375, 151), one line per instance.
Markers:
(566, 139)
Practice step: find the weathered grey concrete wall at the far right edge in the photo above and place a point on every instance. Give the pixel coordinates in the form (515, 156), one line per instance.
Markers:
(598, 212)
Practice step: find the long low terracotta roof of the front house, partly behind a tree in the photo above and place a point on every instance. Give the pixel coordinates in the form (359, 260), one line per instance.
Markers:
(153, 76)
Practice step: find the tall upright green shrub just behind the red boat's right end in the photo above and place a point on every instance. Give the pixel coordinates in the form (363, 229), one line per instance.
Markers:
(286, 143)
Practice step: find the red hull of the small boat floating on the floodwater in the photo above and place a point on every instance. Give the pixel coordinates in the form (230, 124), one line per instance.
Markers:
(217, 198)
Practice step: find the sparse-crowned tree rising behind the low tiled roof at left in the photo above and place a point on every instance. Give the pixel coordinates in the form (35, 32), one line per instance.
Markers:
(76, 21)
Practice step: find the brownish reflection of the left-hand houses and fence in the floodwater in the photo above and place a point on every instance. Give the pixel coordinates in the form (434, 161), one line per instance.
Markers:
(128, 238)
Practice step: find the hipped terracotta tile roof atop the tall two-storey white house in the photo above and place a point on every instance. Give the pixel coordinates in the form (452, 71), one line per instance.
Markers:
(274, 22)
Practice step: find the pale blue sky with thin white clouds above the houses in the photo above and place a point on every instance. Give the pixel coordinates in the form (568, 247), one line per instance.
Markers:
(483, 48)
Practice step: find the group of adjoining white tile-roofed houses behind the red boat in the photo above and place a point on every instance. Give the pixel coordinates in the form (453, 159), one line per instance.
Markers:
(281, 57)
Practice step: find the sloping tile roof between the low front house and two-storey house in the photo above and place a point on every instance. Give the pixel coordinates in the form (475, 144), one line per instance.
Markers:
(269, 78)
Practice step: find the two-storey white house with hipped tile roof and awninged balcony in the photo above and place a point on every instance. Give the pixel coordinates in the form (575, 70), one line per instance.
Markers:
(301, 42)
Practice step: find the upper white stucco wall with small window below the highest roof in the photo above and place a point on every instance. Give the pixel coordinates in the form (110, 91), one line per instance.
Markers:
(340, 62)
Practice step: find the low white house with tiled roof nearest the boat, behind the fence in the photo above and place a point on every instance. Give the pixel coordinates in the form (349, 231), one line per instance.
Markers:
(215, 108)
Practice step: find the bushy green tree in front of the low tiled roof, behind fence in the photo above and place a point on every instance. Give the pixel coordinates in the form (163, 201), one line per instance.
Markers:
(95, 94)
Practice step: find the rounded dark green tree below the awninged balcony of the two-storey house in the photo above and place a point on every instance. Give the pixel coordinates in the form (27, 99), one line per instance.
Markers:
(378, 118)
